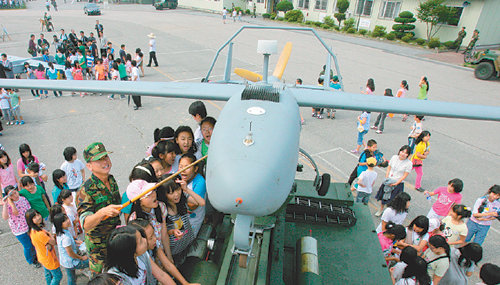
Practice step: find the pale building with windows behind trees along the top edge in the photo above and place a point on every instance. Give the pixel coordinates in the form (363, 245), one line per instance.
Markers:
(472, 14)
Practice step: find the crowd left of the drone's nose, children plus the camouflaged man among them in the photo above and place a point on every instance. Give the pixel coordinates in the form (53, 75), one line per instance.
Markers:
(162, 225)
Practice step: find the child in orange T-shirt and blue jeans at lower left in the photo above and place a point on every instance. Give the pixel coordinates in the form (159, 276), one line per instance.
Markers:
(44, 244)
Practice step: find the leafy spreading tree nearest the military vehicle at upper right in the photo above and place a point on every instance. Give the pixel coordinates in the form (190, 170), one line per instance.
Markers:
(434, 14)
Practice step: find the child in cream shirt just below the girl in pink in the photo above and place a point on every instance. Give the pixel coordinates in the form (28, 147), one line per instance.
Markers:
(455, 229)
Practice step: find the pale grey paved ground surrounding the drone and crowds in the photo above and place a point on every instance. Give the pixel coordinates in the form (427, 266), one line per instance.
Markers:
(187, 41)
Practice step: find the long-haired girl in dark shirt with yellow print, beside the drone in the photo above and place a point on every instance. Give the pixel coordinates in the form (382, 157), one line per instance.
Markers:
(179, 227)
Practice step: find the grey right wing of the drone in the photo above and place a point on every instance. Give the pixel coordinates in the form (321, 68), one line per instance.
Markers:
(313, 97)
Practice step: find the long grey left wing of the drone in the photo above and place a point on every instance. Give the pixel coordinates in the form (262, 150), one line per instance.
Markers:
(204, 91)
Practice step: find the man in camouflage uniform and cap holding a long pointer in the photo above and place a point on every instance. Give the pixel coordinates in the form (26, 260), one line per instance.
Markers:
(98, 198)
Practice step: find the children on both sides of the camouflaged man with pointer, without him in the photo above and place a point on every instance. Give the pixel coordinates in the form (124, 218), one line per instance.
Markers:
(169, 218)
